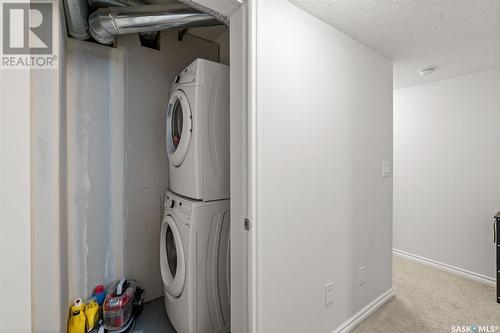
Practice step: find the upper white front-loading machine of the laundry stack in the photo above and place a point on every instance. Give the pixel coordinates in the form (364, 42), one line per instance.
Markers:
(197, 133)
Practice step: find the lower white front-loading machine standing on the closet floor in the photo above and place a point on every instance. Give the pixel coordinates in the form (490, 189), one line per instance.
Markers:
(194, 260)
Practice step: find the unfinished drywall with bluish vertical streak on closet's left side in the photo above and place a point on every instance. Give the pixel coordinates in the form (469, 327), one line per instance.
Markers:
(95, 165)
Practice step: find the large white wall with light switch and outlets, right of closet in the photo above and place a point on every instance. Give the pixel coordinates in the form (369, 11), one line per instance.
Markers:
(324, 127)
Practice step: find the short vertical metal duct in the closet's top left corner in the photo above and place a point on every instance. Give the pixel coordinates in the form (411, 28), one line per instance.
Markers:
(77, 14)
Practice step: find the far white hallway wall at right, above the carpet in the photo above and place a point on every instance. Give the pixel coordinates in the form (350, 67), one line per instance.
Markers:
(447, 170)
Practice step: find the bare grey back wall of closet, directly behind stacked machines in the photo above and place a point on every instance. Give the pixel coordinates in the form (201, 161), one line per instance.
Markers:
(149, 74)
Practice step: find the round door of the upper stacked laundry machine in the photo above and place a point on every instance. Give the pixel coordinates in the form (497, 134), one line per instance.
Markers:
(179, 127)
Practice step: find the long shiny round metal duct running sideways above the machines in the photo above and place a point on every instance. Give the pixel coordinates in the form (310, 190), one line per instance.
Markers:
(106, 23)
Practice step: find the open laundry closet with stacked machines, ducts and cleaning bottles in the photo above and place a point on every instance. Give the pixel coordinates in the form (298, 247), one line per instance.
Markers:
(155, 164)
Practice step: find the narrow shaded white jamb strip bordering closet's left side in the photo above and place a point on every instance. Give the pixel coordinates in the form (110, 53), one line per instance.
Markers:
(47, 187)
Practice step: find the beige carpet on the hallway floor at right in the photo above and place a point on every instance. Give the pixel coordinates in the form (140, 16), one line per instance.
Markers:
(431, 300)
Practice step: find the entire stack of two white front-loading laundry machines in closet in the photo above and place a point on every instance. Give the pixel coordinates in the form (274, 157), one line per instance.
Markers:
(194, 246)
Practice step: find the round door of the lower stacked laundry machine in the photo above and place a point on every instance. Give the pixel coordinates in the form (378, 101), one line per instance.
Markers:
(172, 263)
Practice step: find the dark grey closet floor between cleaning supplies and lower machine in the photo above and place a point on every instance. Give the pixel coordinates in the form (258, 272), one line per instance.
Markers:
(153, 319)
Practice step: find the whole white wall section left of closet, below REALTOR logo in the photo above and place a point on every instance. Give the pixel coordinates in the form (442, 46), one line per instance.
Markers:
(30, 267)
